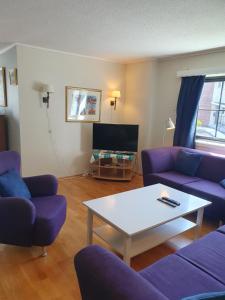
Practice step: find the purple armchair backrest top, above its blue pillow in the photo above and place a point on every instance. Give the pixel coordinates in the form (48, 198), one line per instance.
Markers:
(9, 160)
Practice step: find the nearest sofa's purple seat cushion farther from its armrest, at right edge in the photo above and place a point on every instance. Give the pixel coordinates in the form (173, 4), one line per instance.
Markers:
(208, 254)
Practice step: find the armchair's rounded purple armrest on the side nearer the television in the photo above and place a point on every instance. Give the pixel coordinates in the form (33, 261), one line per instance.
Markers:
(43, 185)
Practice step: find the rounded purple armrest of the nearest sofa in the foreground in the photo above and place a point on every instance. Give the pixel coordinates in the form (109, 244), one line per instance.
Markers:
(102, 275)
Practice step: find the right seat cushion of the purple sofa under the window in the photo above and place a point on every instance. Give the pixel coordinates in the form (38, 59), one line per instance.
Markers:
(210, 191)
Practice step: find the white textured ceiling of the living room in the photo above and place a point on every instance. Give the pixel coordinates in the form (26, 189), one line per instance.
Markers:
(120, 30)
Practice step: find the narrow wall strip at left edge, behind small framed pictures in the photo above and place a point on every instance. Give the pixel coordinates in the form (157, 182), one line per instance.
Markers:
(9, 61)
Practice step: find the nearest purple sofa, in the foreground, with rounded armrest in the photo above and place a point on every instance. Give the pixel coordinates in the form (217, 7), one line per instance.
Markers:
(197, 268)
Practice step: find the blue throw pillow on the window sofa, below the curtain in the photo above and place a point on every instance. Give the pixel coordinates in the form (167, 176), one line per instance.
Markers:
(187, 162)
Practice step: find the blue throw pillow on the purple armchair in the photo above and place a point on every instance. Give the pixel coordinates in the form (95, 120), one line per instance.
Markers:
(12, 185)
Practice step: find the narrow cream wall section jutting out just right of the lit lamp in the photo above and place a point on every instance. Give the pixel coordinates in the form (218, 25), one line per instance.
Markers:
(140, 98)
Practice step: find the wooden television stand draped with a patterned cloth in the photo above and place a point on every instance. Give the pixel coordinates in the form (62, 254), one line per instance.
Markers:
(113, 165)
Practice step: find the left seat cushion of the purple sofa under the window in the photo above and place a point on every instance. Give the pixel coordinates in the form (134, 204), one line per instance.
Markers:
(171, 178)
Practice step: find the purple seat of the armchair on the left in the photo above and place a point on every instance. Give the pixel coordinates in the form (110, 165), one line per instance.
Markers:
(50, 216)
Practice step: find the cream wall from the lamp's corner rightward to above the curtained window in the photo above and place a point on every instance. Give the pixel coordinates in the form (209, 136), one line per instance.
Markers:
(152, 89)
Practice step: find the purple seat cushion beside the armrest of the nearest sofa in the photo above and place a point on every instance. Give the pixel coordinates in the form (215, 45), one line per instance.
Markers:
(176, 278)
